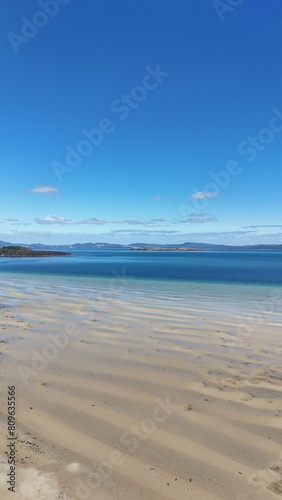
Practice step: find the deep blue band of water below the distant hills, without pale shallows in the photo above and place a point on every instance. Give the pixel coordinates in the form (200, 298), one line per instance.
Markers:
(242, 267)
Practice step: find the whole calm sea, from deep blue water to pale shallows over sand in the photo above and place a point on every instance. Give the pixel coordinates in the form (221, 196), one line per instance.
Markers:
(214, 281)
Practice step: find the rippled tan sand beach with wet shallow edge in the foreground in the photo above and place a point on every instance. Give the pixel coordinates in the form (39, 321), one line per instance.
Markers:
(152, 396)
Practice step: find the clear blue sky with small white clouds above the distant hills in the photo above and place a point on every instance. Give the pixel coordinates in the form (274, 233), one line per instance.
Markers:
(145, 120)
